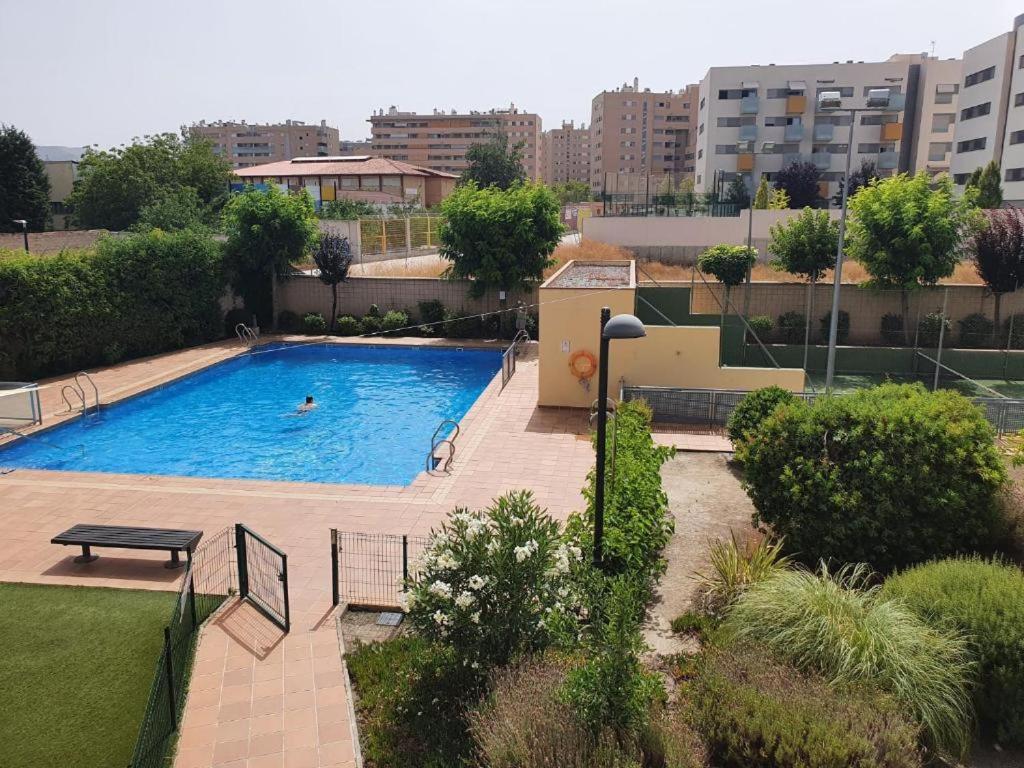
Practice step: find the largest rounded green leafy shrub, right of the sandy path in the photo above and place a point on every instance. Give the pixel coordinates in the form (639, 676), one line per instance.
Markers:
(891, 477)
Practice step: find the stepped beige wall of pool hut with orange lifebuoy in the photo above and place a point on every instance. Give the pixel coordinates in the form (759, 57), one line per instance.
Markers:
(668, 357)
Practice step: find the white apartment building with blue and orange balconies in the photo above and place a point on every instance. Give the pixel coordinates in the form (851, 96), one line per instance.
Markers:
(743, 108)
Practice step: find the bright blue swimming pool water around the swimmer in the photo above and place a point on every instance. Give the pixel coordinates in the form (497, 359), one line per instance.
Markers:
(377, 410)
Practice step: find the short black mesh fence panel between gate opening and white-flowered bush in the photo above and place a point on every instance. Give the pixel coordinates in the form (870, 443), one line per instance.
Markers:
(372, 570)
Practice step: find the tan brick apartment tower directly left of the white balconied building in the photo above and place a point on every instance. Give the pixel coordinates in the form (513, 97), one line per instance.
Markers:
(642, 134)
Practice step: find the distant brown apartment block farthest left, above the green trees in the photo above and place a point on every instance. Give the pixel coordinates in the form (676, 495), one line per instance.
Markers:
(246, 145)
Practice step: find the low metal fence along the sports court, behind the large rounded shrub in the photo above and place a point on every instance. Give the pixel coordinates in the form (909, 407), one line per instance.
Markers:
(712, 408)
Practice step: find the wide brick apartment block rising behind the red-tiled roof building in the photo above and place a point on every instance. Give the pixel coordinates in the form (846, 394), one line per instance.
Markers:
(440, 141)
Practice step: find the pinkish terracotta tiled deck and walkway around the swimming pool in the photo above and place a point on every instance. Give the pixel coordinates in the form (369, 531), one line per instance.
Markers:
(258, 698)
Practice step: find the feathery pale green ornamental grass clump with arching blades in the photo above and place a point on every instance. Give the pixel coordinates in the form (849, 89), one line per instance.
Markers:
(838, 627)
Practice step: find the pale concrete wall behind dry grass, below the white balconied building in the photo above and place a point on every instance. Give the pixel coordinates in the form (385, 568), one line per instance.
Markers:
(680, 240)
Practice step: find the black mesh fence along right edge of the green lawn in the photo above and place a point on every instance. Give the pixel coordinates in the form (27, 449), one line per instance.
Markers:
(208, 580)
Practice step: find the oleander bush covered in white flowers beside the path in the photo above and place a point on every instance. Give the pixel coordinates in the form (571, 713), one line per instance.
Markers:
(496, 583)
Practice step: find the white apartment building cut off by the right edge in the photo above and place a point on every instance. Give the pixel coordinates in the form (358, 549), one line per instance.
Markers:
(990, 123)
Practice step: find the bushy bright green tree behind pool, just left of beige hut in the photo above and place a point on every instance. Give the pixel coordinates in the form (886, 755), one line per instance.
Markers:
(498, 238)
